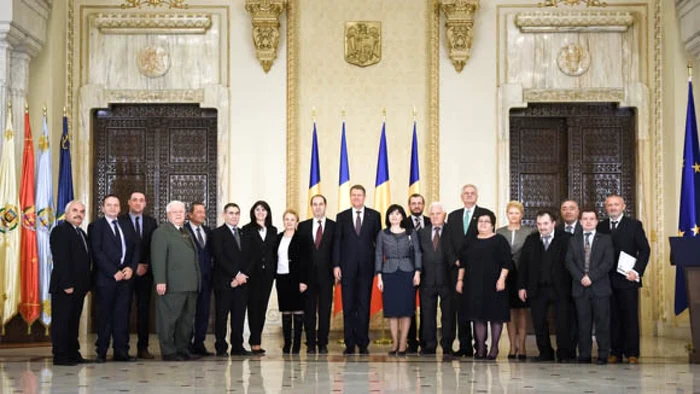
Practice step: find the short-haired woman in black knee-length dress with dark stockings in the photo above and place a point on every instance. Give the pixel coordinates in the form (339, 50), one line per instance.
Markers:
(485, 264)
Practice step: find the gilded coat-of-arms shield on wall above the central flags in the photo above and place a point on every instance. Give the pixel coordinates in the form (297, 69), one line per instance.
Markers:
(363, 43)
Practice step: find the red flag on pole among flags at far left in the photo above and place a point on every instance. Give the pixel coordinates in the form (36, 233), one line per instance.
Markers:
(30, 306)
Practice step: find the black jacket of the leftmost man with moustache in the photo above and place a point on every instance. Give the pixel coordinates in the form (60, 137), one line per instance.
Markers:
(71, 261)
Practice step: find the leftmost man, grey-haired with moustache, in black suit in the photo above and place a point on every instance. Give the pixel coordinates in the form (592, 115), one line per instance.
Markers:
(70, 281)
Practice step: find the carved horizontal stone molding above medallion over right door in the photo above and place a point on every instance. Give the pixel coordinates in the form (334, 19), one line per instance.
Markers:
(578, 21)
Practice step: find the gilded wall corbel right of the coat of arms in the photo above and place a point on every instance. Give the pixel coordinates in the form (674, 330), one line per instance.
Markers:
(459, 29)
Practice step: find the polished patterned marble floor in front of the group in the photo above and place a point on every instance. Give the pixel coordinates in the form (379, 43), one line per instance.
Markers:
(664, 368)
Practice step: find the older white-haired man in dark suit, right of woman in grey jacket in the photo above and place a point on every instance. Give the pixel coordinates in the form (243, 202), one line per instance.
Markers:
(435, 284)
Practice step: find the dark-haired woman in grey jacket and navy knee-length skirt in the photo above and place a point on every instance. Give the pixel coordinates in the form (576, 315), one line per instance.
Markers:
(398, 266)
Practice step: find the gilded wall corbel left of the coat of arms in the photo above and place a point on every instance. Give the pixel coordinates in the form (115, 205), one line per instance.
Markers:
(266, 29)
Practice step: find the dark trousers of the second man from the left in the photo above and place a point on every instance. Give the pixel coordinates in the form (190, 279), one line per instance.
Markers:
(113, 303)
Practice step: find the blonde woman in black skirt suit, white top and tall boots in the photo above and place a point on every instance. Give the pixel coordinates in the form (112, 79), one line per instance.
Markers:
(290, 282)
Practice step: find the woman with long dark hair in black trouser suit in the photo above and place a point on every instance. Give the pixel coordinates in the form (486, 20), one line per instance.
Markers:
(260, 237)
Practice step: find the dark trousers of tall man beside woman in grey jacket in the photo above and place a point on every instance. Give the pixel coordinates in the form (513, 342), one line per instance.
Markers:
(357, 293)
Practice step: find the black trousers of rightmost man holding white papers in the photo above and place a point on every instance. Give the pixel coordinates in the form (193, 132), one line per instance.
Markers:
(624, 322)
